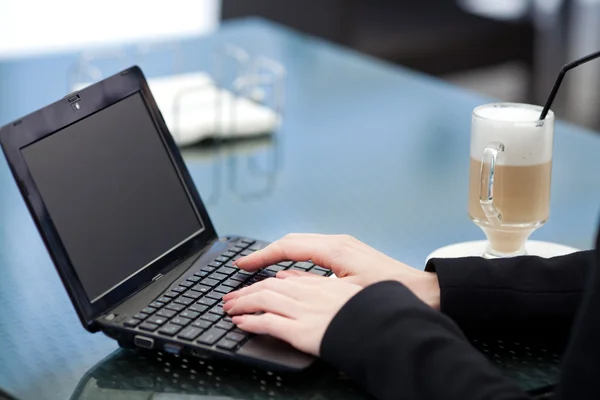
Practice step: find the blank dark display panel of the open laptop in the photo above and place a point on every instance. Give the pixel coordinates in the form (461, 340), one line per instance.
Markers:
(113, 194)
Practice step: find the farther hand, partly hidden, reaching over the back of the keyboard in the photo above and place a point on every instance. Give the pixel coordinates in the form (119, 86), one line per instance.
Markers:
(350, 259)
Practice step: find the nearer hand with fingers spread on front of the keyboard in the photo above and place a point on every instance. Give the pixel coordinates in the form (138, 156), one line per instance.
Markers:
(297, 310)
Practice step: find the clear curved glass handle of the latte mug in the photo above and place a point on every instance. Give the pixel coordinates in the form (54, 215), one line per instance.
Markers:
(486, 187)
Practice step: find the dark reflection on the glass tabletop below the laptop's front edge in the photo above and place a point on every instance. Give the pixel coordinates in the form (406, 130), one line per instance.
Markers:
(129, 374)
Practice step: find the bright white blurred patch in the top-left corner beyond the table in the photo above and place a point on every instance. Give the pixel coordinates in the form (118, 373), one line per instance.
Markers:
(42, 26)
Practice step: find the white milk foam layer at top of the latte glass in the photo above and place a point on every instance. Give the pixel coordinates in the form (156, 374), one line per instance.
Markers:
(516, 126)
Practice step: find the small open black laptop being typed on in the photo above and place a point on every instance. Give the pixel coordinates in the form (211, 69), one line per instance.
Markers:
(127, 231)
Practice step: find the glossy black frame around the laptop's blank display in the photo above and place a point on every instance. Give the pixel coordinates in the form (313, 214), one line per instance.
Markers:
(51, 119)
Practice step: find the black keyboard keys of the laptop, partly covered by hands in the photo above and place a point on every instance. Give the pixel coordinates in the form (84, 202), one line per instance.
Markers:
(192, 310)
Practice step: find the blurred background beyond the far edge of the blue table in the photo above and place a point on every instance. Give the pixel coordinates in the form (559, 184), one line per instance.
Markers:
(507, 49)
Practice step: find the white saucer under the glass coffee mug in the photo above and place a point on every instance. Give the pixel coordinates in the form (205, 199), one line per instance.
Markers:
(476, 248)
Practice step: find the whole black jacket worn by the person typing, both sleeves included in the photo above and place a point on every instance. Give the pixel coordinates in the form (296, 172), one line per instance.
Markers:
(400, 348)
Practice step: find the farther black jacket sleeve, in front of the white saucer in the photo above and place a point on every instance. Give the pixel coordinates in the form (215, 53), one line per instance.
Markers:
(513, 296)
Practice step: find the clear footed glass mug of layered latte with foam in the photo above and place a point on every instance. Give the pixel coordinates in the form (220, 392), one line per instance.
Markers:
(511, 166)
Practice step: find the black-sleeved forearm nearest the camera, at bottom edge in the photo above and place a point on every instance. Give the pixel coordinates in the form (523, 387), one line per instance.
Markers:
(398, 347)
